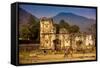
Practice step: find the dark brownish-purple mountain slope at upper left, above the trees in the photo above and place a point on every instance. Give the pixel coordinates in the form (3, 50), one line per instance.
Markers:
(24, 17)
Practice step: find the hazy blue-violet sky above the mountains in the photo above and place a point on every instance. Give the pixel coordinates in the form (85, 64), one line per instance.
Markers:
(49, 11)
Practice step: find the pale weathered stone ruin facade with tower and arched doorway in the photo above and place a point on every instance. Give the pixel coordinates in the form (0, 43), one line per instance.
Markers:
(49, 39)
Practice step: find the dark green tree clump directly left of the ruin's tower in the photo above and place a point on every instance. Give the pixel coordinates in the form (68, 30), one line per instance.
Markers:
(30, 30)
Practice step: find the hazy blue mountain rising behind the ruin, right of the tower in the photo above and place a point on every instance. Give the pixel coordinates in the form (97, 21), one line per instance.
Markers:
(74, 19)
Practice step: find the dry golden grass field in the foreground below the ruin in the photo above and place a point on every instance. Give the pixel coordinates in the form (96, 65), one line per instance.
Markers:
(39, 57)
